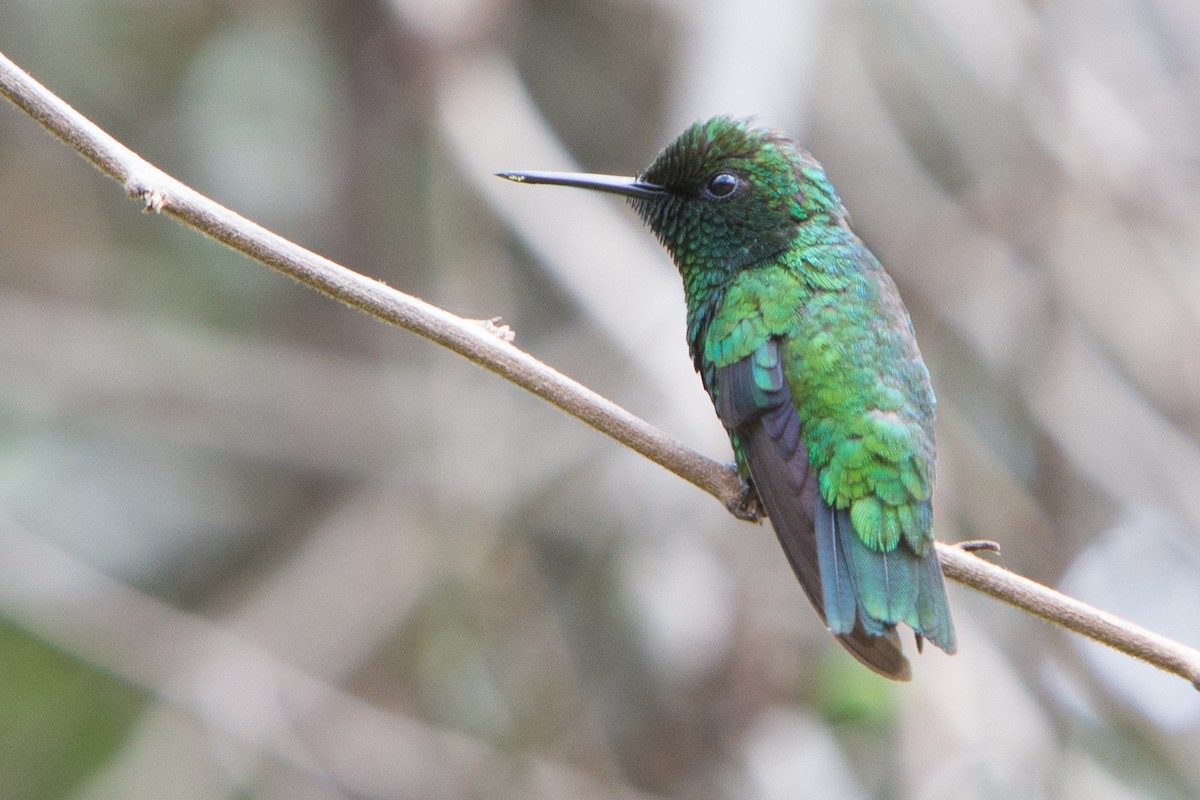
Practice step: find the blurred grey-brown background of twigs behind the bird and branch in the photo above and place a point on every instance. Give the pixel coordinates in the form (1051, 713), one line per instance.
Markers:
(257, 545)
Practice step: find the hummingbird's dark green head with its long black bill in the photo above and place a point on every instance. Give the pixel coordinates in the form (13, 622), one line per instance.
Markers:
(723, 196)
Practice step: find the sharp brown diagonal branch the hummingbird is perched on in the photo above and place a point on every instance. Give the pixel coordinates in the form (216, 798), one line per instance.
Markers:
(481, 344)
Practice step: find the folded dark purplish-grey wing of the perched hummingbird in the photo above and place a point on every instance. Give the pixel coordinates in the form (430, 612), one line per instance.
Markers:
(755, 404)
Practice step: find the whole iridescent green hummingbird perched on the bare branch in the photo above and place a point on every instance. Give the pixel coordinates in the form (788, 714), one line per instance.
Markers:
(809, 356)
